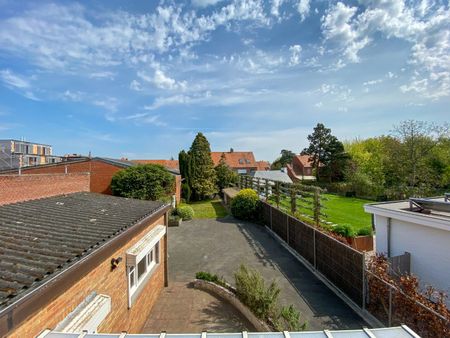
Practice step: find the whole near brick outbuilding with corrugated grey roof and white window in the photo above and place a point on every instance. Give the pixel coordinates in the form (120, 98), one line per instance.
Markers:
(80, 261)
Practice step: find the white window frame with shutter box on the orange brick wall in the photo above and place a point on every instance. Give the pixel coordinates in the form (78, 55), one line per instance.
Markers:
(147, 249)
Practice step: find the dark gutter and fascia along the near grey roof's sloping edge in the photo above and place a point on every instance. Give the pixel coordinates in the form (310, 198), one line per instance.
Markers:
(16, 313)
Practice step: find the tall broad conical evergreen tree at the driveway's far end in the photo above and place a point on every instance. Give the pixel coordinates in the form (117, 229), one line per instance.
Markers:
(202, 176)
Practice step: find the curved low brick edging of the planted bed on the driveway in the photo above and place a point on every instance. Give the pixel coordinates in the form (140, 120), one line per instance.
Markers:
(231, 298)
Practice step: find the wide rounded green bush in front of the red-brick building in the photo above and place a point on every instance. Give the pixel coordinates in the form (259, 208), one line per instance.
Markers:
(146, 182)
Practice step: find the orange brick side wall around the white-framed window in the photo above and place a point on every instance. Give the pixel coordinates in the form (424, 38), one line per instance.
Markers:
(103, 281)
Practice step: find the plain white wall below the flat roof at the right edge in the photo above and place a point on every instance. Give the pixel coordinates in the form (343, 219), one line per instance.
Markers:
(429, 248)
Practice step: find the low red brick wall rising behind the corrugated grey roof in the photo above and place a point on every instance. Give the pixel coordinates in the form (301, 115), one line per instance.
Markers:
(16, 188)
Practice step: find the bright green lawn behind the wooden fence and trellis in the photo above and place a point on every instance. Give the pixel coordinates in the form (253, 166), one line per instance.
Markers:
(340, 210)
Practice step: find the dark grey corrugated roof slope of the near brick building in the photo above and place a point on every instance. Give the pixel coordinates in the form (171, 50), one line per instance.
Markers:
(42, 237)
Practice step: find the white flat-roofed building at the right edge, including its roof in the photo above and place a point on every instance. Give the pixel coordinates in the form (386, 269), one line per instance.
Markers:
(420, 227)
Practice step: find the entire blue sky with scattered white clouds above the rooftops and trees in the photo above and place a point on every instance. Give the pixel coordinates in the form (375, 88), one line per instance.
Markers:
(140, 78)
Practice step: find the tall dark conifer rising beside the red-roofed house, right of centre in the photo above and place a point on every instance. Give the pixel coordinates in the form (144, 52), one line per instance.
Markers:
(325, 151)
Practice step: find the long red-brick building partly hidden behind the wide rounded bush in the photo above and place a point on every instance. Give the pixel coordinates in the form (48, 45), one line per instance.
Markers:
(101, 171)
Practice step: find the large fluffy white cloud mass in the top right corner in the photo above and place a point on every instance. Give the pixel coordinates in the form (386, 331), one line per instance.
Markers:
(425, 25)
